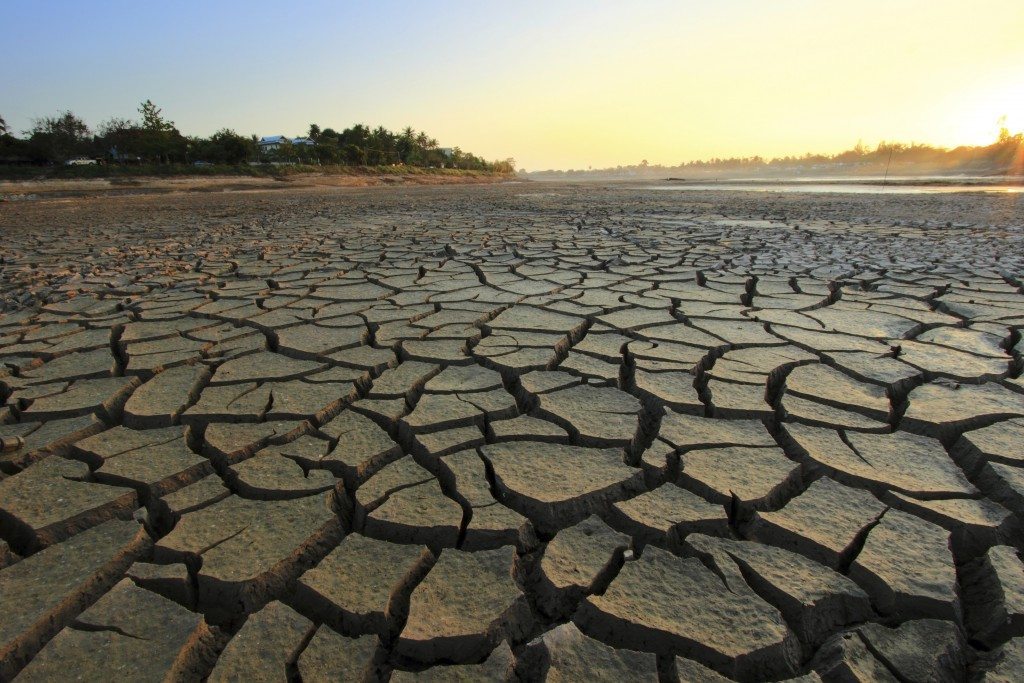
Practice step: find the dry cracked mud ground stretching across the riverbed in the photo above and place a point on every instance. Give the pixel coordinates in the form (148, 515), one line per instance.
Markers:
(513, 434)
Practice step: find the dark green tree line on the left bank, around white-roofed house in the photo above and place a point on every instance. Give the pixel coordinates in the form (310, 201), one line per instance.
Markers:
(155, 140)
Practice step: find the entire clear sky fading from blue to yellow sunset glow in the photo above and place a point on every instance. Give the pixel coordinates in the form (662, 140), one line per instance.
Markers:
(553, 84)
